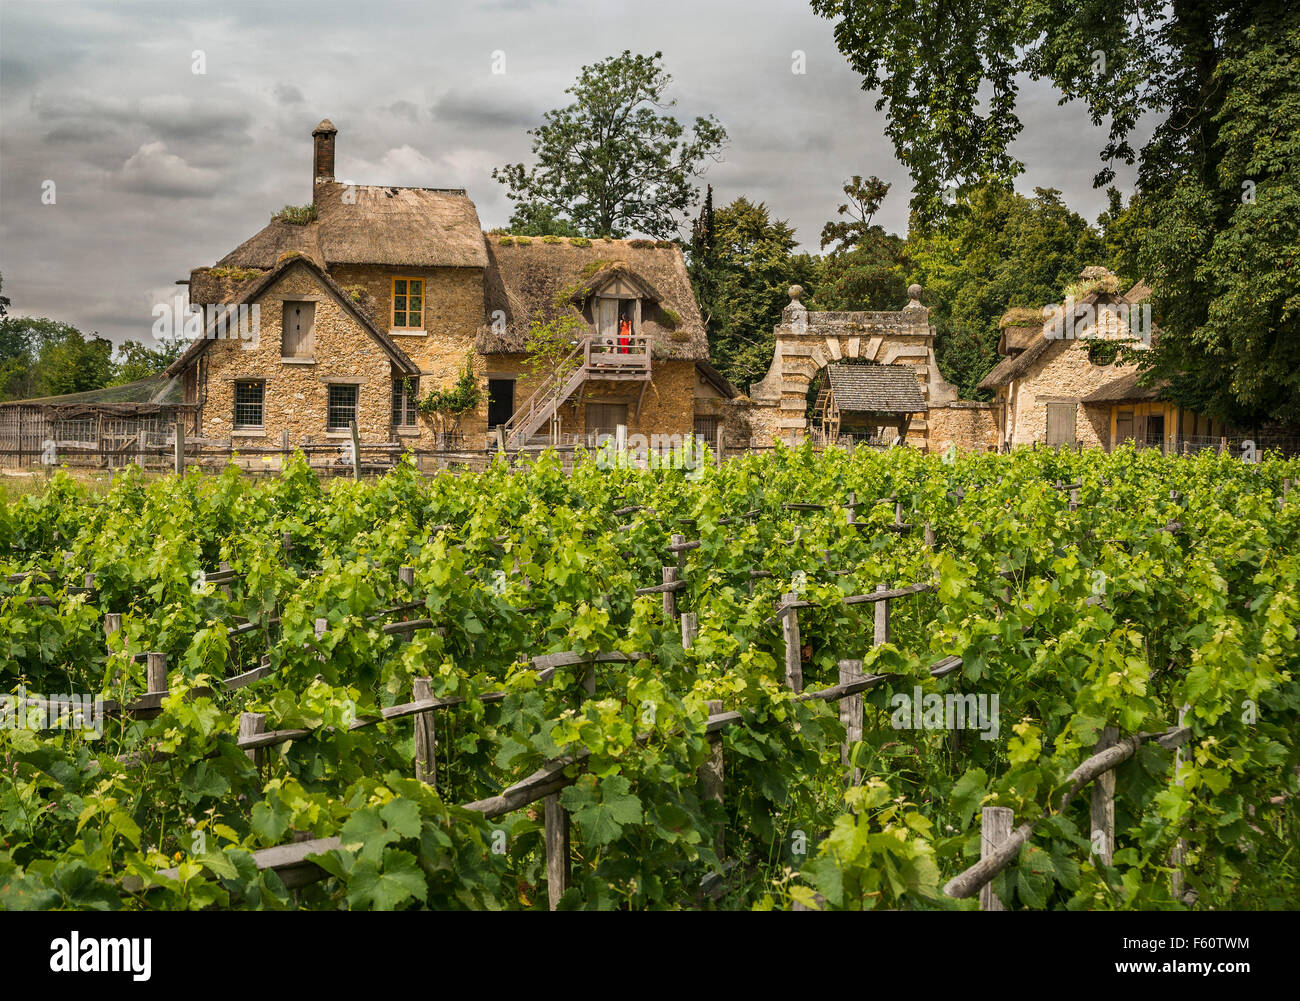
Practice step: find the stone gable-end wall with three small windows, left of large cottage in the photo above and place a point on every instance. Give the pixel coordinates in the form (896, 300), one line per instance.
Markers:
(296, 397)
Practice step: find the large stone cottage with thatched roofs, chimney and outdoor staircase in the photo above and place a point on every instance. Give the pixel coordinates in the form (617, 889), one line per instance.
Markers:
(375, 297)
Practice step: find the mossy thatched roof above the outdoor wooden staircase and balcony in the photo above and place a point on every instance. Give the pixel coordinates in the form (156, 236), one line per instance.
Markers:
(552, 279)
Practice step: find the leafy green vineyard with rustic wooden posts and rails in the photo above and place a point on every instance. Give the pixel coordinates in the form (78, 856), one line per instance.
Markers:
(801, 681)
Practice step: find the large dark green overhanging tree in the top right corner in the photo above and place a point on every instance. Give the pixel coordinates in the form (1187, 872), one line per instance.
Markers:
(1216, 79)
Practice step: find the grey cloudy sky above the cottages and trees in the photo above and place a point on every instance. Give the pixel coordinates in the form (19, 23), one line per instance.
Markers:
(158, 170)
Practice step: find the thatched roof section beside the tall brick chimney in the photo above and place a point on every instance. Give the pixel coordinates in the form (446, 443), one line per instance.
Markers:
(369, 224)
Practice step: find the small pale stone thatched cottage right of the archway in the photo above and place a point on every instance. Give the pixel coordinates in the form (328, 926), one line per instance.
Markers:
(1061, 380)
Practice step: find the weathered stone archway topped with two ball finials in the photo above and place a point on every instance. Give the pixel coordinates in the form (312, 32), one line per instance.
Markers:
(807, 343)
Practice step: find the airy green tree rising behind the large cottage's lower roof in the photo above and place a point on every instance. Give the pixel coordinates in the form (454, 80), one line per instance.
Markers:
(614, 163)
